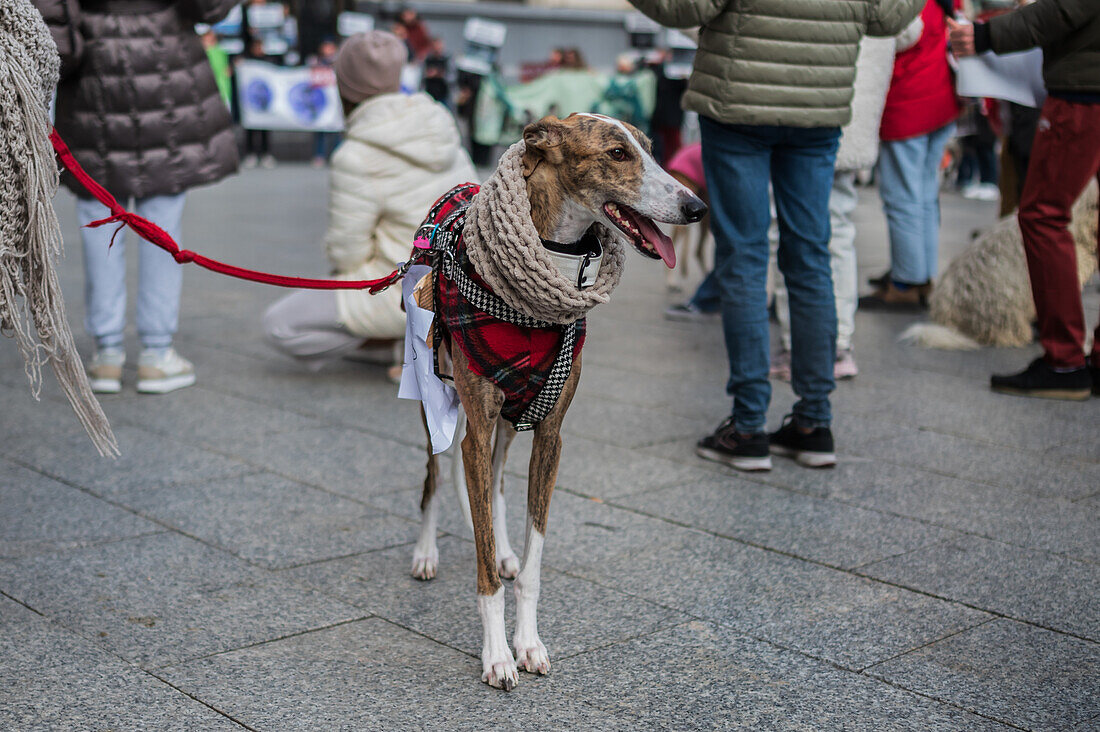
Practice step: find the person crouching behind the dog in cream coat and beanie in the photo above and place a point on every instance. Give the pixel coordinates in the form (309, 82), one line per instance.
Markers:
(400, 155)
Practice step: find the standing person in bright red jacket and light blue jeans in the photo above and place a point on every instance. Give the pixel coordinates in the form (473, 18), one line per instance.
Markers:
(918, 122)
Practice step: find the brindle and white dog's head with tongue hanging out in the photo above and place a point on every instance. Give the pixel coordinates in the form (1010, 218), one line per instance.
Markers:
(593, 169)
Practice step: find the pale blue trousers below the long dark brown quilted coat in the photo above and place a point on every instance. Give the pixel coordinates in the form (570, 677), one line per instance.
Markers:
(160, 278)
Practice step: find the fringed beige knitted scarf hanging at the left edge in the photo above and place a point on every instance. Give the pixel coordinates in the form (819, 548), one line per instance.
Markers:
(31, 307)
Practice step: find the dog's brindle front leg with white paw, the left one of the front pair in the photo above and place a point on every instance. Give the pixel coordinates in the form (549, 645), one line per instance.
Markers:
(482, 402)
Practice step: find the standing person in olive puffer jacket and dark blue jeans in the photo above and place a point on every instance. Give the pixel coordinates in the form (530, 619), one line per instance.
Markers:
(773, 83)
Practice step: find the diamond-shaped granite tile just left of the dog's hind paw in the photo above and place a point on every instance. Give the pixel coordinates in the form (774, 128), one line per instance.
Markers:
(270, 520)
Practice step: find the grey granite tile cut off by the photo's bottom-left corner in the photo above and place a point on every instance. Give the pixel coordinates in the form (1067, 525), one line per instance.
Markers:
(101, 693)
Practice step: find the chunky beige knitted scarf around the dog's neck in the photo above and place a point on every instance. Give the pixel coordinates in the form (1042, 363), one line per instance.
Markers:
(507, 252)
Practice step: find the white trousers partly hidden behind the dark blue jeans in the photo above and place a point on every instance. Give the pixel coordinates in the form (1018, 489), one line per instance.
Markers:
(842, 249)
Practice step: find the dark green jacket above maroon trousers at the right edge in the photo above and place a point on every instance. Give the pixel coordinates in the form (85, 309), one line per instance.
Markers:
(1070, 34)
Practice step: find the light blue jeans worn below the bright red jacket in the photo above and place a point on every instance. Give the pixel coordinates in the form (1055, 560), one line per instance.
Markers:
(909, 183)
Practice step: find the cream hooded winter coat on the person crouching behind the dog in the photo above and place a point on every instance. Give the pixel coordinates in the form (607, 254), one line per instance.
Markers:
(400, 155)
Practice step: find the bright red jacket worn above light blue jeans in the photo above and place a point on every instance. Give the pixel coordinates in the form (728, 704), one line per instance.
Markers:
(922, 92)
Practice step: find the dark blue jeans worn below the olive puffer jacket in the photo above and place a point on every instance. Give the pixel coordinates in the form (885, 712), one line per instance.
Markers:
(740, 161)
